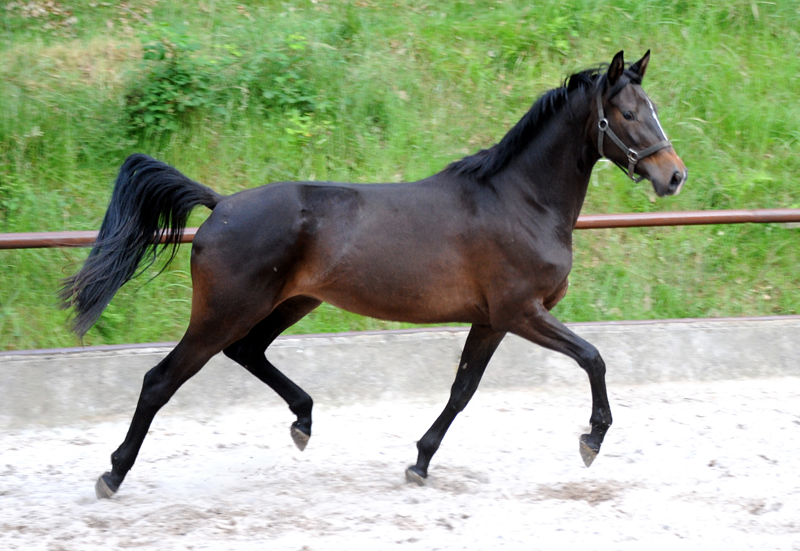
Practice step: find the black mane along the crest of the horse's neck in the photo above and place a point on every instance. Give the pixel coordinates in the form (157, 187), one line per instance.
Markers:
(488, 162)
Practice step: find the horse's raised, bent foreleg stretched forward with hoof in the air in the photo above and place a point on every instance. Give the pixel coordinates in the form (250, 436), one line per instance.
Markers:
(540, 327)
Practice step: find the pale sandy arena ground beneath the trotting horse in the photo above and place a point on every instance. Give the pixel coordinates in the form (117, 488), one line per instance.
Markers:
(685, 466)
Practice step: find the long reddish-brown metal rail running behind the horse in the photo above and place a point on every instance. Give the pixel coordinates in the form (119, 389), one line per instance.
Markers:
(43, 240)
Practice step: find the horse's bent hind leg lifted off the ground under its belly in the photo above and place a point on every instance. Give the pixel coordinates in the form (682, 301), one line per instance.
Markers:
(249, 353)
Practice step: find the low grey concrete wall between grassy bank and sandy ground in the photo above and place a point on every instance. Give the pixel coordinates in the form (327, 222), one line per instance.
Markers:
(85, 385)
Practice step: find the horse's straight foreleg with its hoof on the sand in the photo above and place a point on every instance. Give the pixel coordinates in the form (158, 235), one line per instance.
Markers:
(481, 343)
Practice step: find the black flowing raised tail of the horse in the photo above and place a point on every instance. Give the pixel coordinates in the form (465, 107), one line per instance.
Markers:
(150, 205)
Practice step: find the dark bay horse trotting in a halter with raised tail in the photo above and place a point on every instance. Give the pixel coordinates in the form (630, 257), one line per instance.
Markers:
(487, 241)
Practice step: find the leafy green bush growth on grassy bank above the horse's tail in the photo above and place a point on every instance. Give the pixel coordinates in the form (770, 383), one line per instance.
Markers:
(176, 84)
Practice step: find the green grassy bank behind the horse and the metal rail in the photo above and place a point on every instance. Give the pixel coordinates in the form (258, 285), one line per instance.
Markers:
(393, 91)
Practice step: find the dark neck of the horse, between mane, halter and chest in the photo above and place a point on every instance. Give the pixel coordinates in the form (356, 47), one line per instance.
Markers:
(552, 172)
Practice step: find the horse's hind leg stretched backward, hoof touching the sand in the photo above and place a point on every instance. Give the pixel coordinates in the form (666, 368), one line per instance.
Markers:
(159, 385)
